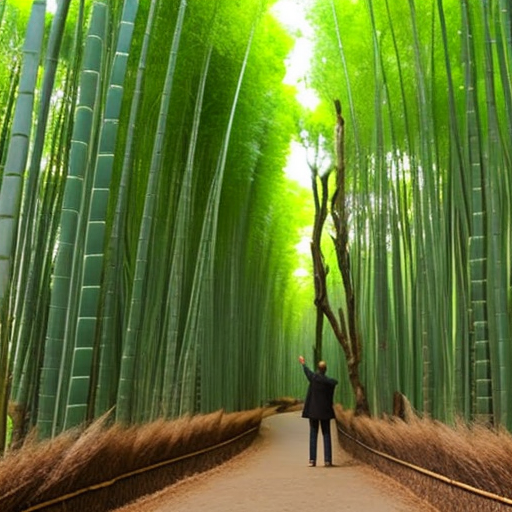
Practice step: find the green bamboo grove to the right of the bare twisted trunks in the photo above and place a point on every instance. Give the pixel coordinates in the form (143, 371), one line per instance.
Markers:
(425, 91)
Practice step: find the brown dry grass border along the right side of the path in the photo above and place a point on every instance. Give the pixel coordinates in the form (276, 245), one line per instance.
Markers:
(473, 455)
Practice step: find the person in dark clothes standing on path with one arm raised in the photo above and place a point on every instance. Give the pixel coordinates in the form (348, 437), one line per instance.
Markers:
(318, 408)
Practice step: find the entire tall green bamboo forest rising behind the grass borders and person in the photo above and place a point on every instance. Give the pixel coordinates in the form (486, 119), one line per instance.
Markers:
(156, 248)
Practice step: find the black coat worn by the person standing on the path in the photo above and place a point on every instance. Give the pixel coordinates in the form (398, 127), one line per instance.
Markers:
(319, 398)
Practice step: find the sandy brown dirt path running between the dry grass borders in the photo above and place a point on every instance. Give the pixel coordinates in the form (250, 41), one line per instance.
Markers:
(273, 476)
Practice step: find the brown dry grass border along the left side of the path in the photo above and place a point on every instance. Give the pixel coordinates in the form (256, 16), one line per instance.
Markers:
(41, 472)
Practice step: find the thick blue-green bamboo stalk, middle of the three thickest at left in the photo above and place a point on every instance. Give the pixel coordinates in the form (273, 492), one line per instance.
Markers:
(61, 320)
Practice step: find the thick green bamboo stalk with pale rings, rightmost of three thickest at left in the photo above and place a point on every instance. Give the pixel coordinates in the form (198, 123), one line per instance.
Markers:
(80, 404)
